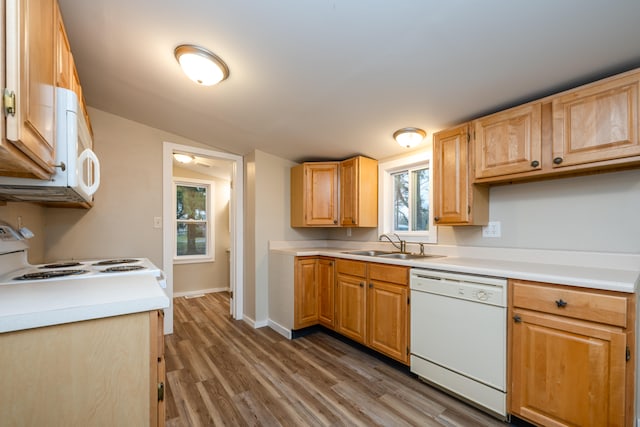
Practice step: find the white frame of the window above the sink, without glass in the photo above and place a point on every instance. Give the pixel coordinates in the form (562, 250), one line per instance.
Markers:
(417, 160)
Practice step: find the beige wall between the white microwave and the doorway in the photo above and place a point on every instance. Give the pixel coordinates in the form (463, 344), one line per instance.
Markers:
(121, 222)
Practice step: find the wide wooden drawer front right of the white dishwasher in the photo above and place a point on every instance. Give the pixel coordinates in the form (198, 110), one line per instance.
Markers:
(596, 306)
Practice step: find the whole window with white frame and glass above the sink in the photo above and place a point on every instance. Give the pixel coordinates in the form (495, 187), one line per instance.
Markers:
(405, 198)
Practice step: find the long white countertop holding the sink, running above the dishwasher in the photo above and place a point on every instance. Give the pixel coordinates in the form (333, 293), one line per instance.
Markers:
(613, 279)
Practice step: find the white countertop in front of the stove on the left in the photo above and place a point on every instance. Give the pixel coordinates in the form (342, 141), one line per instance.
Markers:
(36, 304)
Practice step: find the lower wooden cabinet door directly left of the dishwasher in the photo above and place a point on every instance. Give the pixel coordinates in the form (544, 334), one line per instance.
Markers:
(387, 319)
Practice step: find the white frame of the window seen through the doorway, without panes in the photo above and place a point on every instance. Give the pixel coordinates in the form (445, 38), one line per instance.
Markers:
(209, 255)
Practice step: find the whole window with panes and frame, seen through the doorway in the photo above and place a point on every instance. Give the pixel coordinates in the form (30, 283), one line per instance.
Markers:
(193, 220)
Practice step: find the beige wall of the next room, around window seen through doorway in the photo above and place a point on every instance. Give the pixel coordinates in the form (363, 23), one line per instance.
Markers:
(193, 277)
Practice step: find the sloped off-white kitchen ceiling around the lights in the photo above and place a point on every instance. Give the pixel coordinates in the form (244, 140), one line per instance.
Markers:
(329, 79)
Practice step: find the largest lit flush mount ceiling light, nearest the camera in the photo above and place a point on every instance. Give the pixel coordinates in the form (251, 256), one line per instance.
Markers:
(201, 65)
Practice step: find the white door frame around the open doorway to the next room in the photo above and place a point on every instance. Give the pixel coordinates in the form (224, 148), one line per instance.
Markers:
(236, 214)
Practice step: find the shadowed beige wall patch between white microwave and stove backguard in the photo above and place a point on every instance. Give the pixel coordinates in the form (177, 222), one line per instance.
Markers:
(33, 217)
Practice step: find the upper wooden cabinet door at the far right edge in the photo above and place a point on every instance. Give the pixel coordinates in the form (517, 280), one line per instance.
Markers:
(596, 123)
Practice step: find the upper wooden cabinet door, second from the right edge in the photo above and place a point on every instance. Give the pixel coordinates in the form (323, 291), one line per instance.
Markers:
(509, 142)
